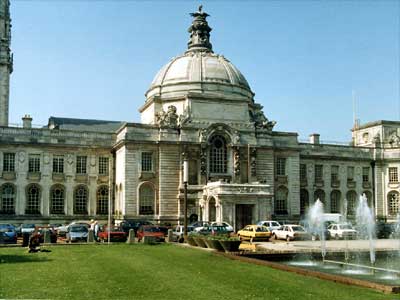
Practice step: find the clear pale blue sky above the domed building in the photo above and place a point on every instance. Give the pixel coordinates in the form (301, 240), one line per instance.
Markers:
(303, 59)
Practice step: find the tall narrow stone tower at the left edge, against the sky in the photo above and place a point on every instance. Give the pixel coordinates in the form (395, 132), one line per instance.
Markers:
(6, 60)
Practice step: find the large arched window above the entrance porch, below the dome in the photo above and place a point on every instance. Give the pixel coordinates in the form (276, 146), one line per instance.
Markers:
(218, 155)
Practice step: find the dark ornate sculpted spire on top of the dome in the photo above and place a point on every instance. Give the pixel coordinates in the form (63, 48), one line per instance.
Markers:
(199, 32)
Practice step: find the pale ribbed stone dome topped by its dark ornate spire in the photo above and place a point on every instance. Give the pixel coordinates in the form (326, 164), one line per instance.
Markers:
(199, 69)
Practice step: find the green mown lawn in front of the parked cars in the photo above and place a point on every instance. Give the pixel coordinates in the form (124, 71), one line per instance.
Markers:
(155, 272)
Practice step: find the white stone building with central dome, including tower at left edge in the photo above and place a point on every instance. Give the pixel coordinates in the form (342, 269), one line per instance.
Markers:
(199, 107)
